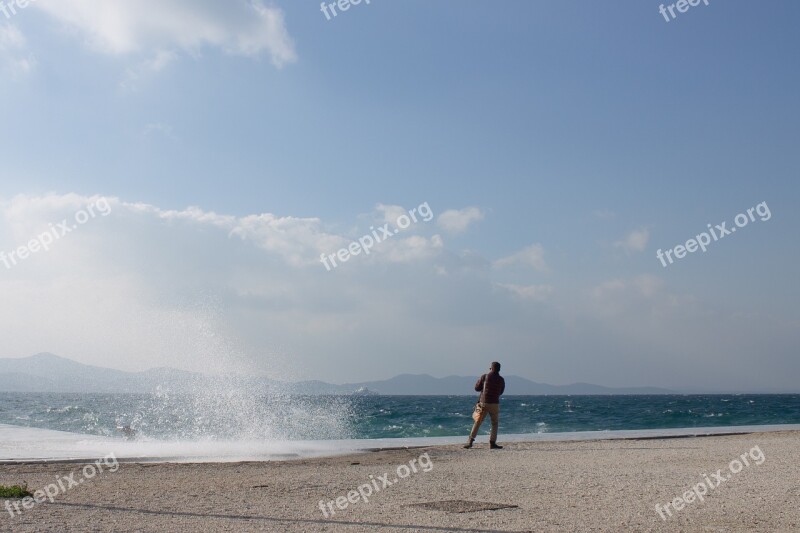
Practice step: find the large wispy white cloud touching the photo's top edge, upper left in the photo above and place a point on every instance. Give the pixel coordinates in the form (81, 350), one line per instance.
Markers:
(153, 27)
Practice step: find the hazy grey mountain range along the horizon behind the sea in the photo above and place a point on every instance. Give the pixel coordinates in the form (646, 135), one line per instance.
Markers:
(46, 372)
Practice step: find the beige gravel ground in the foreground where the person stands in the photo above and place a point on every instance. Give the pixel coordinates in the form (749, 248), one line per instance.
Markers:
(545, 486)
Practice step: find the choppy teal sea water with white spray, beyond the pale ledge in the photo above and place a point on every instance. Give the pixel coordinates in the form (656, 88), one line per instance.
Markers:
(230, 416)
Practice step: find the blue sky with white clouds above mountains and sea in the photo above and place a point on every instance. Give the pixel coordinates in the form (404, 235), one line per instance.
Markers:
(206, 155)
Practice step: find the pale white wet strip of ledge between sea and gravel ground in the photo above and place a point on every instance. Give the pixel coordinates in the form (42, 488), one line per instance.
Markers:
(18, 444)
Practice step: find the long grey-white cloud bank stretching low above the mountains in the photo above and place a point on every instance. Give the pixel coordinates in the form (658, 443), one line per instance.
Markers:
(147, 286)
